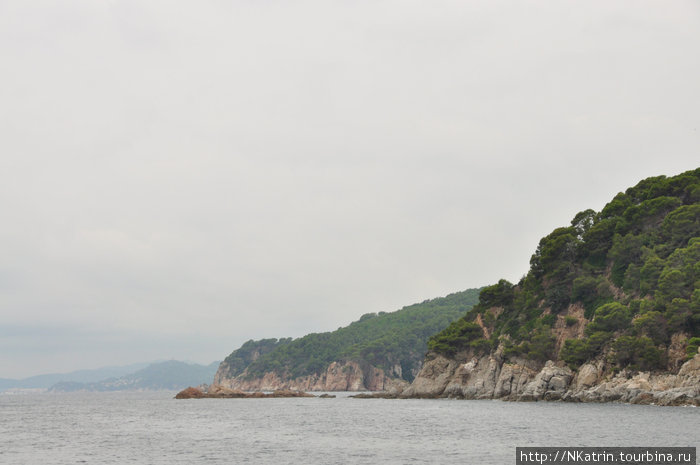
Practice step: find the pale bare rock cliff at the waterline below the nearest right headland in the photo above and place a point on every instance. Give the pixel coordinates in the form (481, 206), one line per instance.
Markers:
(467, 376)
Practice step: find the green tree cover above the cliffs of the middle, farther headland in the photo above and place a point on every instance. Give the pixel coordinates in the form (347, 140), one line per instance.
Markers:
(384, 340)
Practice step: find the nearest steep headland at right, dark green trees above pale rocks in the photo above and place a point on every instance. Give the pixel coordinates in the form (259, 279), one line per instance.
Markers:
(613, 295)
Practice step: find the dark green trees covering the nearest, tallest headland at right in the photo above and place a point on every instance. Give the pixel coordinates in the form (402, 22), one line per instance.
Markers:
(633, 268)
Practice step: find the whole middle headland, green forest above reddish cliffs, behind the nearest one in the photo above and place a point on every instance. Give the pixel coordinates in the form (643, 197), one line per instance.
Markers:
(379, 351)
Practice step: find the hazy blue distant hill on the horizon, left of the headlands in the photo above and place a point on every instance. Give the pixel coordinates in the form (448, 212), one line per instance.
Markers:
(170, 375)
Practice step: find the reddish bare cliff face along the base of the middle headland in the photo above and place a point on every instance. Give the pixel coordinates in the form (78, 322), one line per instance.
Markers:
(339, 376)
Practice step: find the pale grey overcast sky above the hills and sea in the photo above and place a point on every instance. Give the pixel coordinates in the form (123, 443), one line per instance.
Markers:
(178, 177)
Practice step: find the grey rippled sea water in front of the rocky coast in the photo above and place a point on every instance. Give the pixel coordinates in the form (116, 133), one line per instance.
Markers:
(153, 428)
